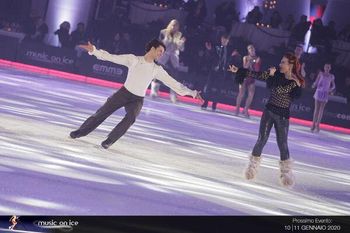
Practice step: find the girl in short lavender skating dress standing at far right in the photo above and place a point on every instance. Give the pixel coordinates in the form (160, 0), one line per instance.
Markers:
(324, 85)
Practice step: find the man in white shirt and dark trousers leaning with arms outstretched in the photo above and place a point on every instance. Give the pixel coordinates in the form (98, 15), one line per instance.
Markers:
(142, 70)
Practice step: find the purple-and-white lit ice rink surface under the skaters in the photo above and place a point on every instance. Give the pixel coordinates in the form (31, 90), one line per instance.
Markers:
(175, 160)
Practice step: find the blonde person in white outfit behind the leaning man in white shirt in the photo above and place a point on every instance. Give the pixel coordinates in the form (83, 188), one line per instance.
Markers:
(174, 42)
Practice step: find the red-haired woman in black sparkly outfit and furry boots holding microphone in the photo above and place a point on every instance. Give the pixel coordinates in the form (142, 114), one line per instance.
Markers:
(285, 85)
